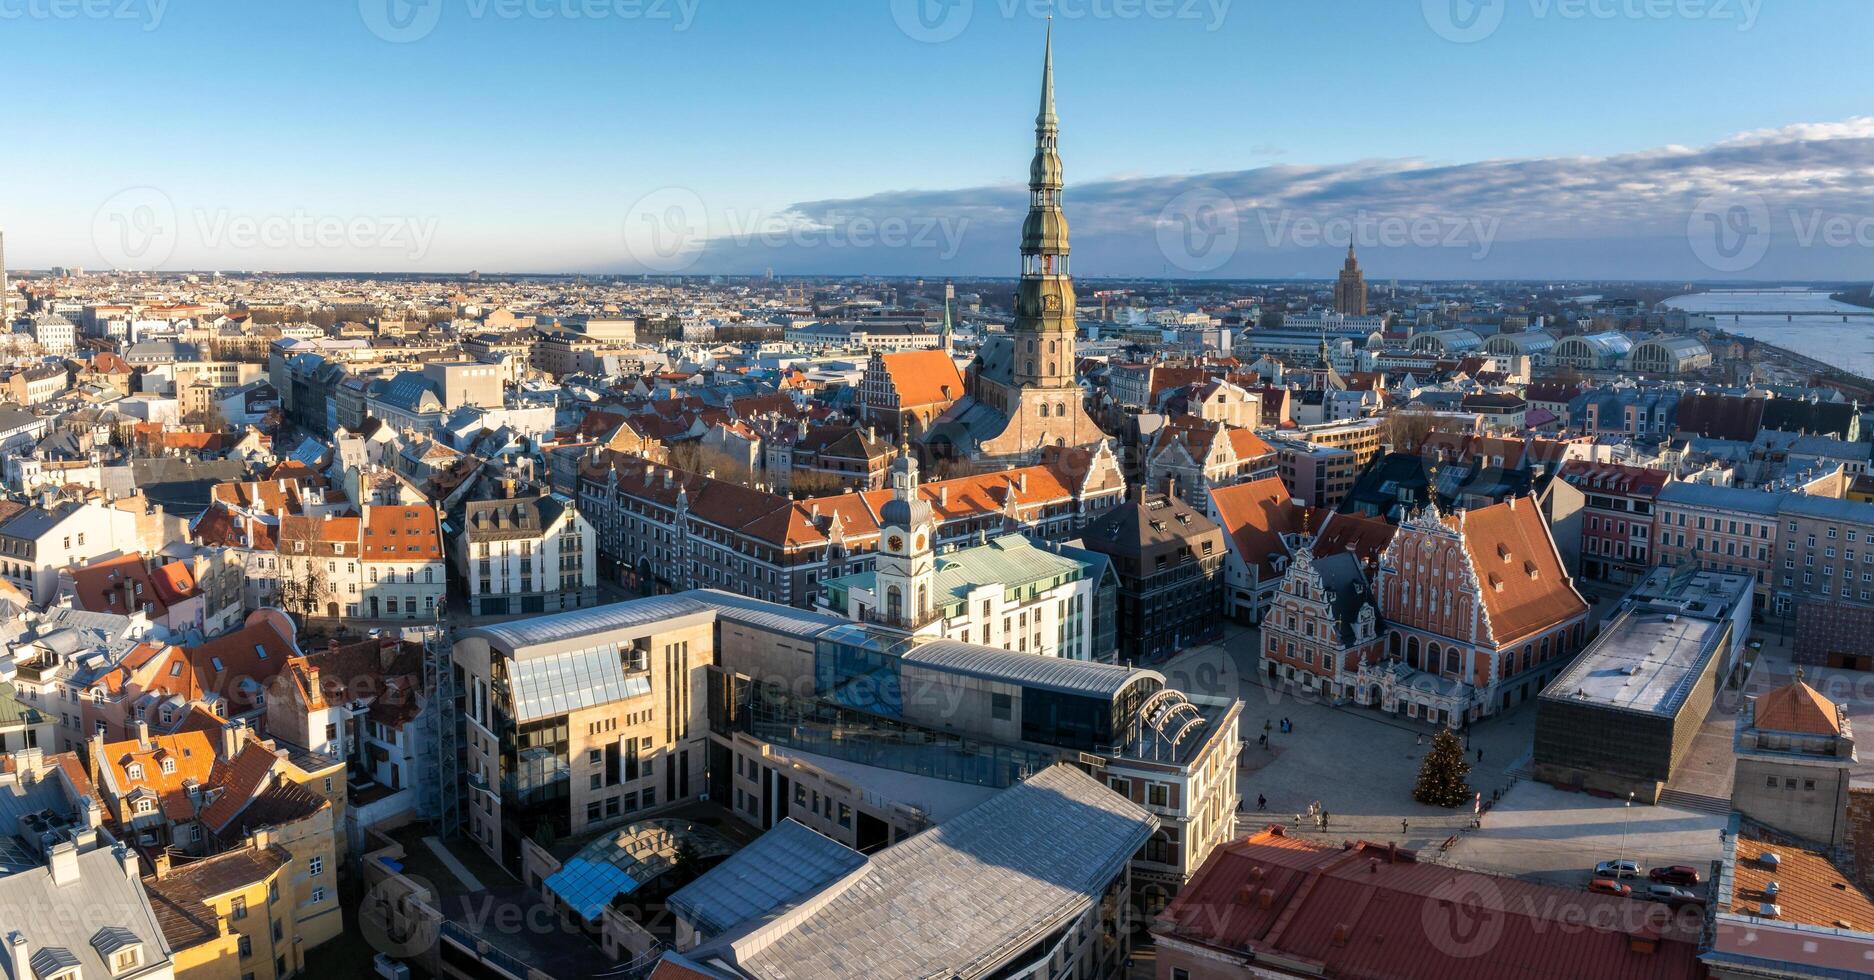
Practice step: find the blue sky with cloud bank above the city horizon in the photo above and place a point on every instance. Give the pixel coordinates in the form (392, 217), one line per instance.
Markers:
(528, 134)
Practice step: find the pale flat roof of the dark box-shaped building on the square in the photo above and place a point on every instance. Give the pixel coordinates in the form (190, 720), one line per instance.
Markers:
(1644, 662)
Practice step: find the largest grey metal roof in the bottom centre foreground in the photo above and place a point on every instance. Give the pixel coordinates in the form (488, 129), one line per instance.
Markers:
(966, 897)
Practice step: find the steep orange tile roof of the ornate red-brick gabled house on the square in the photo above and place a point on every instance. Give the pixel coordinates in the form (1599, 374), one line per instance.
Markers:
(1524, 586)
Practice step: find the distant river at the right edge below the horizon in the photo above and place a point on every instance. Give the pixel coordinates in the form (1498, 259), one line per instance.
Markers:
(1847, 346)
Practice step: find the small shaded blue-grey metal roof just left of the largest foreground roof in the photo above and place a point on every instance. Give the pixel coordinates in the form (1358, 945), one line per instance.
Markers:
(781, 869)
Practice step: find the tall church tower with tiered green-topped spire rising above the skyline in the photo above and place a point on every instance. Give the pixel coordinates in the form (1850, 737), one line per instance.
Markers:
(1028, 378)
